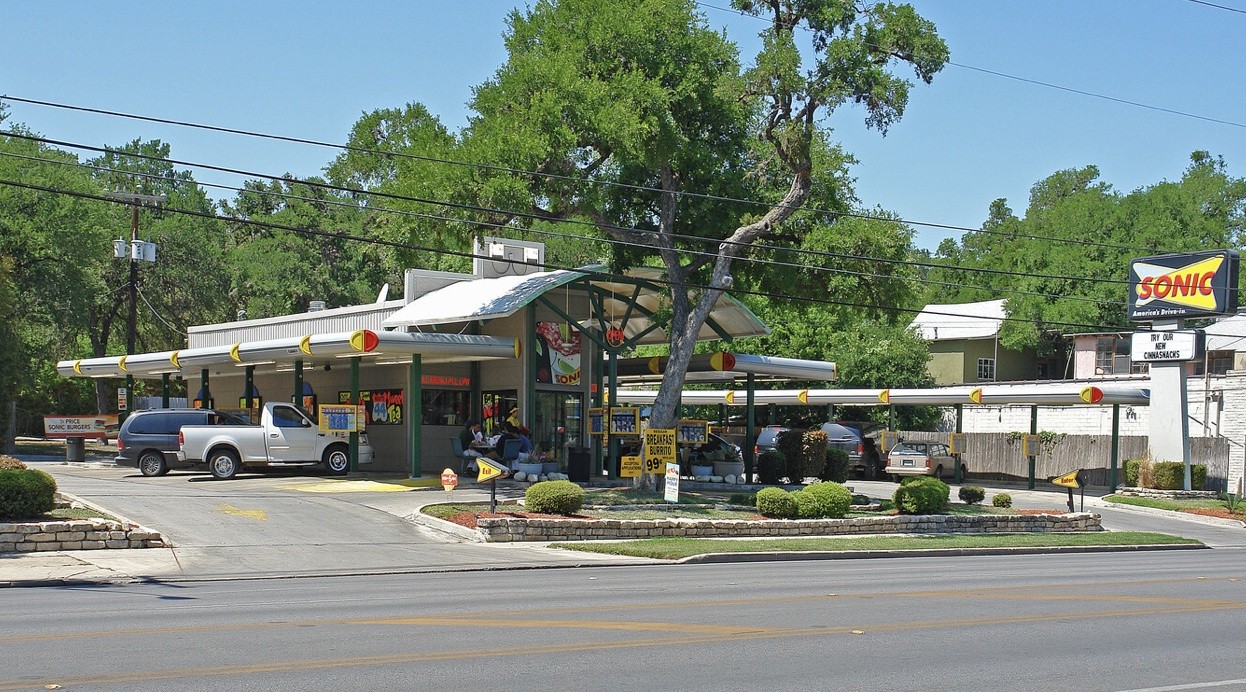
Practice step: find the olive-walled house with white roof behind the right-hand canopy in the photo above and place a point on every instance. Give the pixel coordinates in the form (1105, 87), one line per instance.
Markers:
(965, 347)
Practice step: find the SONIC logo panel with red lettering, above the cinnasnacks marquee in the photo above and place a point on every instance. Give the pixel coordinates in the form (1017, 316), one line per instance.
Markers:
(1183, 286)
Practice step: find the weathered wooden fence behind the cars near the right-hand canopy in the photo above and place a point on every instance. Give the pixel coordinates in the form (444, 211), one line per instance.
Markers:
(999, 457)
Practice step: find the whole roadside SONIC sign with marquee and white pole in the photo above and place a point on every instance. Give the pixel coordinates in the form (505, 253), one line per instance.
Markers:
(1166, 291)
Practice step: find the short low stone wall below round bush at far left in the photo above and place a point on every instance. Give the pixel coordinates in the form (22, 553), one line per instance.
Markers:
(75, 534)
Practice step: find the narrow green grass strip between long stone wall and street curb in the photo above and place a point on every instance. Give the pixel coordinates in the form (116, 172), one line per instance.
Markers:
(677, 549)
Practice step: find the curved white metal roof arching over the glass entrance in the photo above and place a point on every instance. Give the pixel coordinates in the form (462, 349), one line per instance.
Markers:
(634, 299)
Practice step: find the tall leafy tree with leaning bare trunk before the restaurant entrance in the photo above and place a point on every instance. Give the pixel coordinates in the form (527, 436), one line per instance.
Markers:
(635, 104)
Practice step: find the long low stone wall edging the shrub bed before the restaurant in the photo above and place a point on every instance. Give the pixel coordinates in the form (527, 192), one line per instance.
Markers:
(510, 529)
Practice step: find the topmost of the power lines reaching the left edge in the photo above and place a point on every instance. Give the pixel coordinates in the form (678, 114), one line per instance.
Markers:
(827, 214)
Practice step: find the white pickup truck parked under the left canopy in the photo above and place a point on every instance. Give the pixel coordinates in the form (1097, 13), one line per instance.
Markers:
(285, 438)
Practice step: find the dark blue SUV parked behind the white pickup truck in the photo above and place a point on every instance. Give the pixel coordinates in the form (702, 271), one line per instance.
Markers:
(149, 440)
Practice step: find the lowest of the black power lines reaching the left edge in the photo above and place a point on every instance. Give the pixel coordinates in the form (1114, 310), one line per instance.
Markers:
(587, 274)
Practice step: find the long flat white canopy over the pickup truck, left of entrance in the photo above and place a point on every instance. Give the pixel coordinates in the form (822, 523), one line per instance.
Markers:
(378, 347)
